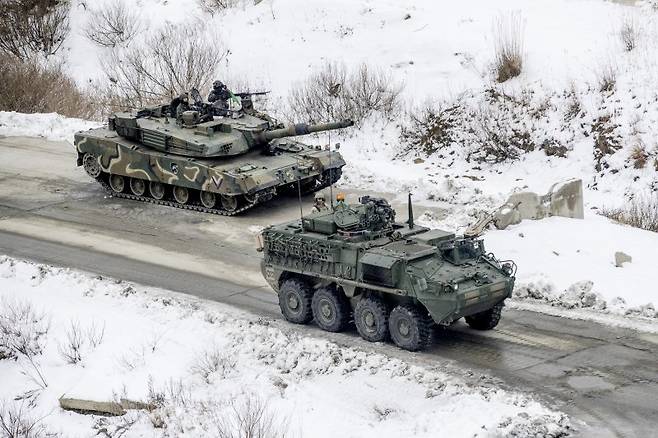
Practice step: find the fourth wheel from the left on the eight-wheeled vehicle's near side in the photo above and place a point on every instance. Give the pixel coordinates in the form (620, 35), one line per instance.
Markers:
(409, 328)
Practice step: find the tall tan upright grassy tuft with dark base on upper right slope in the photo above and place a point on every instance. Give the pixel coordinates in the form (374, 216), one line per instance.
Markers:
(509, 55)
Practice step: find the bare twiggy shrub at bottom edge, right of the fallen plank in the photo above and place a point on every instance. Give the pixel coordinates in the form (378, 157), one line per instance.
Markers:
(249, 418)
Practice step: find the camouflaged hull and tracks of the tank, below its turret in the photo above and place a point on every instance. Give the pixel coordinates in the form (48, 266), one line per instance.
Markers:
(232, 184)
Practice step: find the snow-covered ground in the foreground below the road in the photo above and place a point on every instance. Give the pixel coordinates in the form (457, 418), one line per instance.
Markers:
(201, 363)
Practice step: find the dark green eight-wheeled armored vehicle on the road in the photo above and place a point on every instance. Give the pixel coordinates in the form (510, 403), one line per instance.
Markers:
(396, 280)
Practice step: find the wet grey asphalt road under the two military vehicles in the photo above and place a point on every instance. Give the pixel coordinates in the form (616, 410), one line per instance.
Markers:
(51, 212)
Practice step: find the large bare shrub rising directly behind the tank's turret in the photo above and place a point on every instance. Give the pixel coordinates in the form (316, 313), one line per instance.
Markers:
(173, 60)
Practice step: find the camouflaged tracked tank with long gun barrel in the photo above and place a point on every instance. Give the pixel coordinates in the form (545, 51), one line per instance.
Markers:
(198, 160)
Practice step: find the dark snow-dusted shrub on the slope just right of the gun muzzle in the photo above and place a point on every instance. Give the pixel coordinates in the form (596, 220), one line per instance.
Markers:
(432, 128)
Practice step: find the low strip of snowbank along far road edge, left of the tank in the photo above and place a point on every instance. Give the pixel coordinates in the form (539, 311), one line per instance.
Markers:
(50, 126)
